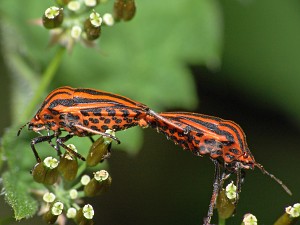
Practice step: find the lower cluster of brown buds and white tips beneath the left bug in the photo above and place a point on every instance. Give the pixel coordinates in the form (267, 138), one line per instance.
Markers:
(65, 186)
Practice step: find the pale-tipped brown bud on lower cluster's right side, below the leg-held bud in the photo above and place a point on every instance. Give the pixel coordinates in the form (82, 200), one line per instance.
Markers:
(99, 184)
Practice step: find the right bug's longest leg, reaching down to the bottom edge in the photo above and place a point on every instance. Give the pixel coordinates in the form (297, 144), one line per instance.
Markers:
(216, 189)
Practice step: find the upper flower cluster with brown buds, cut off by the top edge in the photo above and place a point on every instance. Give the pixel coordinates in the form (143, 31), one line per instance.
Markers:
(71, 21)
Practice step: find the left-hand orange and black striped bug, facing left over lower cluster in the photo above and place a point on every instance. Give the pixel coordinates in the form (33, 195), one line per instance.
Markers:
(84, 112)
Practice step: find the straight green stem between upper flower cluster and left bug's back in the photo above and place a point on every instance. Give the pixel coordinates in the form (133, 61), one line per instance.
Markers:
(47, 77)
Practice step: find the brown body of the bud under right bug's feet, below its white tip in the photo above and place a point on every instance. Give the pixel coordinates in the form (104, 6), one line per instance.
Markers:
(224, 205)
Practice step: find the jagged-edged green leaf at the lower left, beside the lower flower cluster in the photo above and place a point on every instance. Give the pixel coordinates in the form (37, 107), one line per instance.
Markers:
(17, 181)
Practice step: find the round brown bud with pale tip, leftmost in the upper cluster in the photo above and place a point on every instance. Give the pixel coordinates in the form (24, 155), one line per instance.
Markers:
(53, 17)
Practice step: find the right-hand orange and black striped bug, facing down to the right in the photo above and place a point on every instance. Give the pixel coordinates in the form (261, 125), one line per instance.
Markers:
(223, 140)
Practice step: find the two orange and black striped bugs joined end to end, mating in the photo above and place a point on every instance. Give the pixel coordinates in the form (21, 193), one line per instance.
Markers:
(87, 112)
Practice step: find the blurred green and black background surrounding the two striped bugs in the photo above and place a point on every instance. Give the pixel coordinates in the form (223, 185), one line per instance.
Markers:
(238, 60)
